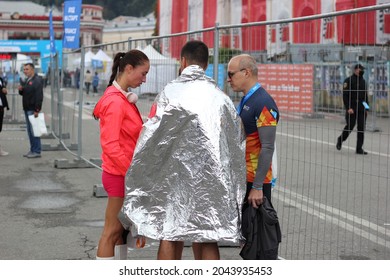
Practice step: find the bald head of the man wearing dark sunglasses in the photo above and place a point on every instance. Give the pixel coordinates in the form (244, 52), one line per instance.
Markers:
(242, 72)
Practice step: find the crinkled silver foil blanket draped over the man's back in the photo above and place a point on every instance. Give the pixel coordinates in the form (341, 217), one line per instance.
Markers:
(187, 178)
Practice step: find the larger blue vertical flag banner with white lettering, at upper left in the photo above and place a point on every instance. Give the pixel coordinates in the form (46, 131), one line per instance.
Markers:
(72, 12)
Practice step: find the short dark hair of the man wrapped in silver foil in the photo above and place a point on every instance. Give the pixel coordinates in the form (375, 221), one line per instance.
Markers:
(196, 52)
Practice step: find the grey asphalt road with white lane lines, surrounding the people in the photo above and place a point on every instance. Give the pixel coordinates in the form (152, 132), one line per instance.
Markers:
(331, 204)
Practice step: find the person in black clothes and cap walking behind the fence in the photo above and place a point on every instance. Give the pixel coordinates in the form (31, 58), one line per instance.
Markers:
(356, 105)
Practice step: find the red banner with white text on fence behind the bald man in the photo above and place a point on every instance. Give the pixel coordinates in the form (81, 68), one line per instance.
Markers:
(290, 85)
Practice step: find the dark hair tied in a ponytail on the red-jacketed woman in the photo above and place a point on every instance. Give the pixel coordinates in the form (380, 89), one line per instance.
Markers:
(132, 57)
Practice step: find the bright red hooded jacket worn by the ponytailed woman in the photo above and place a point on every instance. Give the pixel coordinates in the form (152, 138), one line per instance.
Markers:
(120, 126)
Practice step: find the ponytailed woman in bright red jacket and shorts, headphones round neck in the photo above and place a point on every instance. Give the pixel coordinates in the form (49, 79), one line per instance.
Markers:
(120, 126)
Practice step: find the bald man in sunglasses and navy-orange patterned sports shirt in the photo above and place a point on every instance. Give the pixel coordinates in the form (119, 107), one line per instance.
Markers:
(260, 116)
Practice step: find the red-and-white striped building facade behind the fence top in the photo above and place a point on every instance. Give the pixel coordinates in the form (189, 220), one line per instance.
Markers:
(368, 28)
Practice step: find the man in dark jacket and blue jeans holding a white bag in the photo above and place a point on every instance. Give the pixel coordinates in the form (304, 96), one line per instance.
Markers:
(32, 91)
